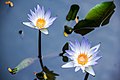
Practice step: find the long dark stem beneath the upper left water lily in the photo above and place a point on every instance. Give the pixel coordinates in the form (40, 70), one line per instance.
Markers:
(39, 50)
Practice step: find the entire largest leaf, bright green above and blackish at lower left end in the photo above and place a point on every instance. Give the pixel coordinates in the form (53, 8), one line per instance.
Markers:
(98, 15)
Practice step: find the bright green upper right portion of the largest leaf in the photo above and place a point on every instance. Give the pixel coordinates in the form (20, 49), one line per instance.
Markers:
(101, 12)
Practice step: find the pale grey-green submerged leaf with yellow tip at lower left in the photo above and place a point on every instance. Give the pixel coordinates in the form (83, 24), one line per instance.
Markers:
(25, 63)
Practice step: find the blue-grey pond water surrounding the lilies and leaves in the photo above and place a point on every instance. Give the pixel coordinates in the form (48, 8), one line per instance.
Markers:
(15, 47)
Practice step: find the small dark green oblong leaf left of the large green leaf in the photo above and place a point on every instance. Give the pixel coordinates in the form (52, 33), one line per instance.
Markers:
(72, 12)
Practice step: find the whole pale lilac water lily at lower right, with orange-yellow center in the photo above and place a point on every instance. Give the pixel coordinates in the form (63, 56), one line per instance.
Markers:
(82, 56)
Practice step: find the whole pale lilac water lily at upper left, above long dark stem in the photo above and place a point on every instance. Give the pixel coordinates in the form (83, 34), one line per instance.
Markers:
(40, 20)
